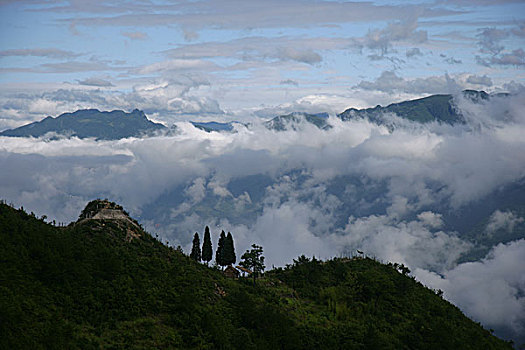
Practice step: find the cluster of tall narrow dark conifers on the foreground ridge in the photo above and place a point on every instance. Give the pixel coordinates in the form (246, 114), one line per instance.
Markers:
(224, 255)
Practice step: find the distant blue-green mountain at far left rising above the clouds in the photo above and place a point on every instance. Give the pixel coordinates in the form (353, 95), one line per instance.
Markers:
(87, 123)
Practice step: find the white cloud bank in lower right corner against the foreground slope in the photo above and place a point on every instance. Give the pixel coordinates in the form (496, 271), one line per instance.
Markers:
(490, 291)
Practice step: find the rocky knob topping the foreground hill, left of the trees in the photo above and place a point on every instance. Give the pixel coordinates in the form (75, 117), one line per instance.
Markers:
(99, 211)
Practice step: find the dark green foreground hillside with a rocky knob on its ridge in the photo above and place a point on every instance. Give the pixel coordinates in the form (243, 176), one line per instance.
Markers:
(93, 285)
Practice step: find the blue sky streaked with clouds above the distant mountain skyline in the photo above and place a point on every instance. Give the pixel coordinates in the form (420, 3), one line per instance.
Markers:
(247, 59)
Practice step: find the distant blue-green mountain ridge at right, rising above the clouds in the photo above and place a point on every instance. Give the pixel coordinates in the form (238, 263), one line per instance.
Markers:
(438, 108)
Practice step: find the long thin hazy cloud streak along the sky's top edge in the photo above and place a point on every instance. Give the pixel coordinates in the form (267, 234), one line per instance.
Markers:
(272, 14)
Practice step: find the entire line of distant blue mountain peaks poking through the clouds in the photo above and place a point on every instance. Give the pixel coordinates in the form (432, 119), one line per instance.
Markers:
(119, 124)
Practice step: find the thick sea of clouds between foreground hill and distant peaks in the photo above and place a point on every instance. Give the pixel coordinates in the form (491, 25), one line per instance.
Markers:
(382, 189)
